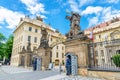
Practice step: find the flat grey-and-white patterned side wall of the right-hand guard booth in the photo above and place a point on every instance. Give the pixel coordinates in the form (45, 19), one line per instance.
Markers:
(74, 65)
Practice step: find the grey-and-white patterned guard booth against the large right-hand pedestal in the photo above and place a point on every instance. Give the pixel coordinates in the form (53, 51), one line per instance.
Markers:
(74, 63)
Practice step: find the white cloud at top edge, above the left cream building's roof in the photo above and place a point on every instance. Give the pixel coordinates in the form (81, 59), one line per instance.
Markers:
(34, 7)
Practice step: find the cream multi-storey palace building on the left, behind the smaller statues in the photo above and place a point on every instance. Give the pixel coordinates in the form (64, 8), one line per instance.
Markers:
(29, 30)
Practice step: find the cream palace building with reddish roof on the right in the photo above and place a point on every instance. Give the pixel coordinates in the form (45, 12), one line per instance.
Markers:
(106, 40)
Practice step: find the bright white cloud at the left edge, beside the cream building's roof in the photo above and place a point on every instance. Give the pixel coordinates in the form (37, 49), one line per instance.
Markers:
(12, 18)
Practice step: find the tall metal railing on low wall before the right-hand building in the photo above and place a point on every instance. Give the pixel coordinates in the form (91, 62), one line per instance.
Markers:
(101, 58)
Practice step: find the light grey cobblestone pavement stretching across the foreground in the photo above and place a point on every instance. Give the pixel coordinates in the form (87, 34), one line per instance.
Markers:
(15, 73)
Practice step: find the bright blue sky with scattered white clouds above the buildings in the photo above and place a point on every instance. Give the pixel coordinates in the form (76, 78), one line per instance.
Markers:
(53, 12)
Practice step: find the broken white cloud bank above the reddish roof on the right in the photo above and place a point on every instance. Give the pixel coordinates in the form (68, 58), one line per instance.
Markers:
(101, 14)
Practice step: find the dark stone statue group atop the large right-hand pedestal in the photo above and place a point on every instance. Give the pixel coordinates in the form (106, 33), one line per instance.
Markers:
(75, 30)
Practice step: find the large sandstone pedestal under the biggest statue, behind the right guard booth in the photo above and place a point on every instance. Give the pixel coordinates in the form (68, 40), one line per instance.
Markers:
(79, 48)
